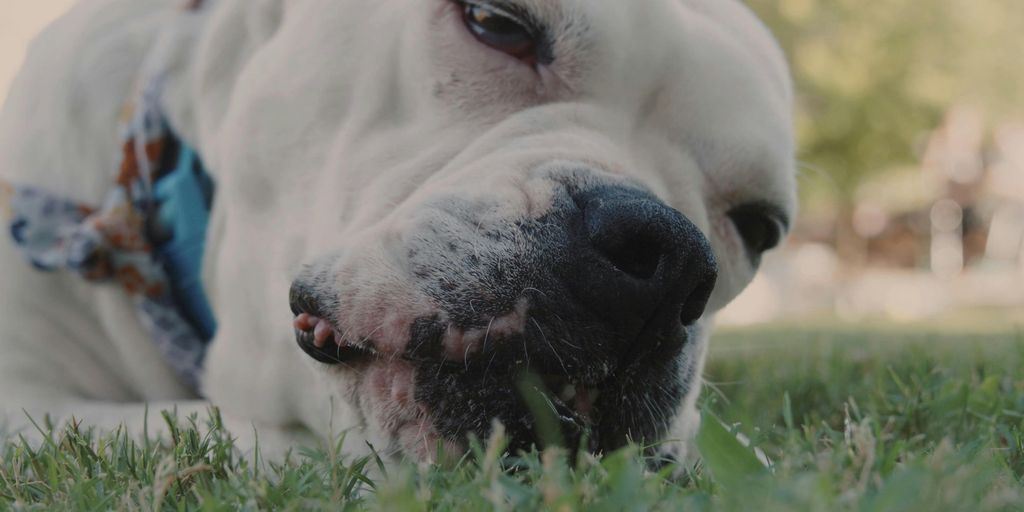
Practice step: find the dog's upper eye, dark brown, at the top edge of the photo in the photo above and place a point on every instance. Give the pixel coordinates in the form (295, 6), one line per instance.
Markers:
(500, 30)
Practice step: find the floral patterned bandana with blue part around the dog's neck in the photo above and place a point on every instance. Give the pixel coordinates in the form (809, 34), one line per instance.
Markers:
(148, 236)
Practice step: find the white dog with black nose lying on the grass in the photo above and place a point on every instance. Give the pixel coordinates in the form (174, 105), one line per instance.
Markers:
(417, 203)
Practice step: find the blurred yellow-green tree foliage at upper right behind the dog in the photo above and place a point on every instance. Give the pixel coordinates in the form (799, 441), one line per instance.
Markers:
(873, 79)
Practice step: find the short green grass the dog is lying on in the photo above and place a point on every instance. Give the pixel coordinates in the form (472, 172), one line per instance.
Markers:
(858, 418)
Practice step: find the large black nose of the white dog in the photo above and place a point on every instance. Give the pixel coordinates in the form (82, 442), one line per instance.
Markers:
(639, 261)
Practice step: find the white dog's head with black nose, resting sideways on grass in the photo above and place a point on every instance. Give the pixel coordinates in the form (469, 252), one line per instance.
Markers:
(467, 191)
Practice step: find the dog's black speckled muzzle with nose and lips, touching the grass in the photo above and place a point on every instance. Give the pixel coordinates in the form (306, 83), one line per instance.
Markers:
(595, 298)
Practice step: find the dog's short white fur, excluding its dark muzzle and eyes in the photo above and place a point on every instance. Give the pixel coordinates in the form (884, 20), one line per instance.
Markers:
(329, 125)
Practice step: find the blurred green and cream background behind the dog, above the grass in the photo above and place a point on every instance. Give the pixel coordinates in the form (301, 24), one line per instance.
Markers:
(911, 119)
